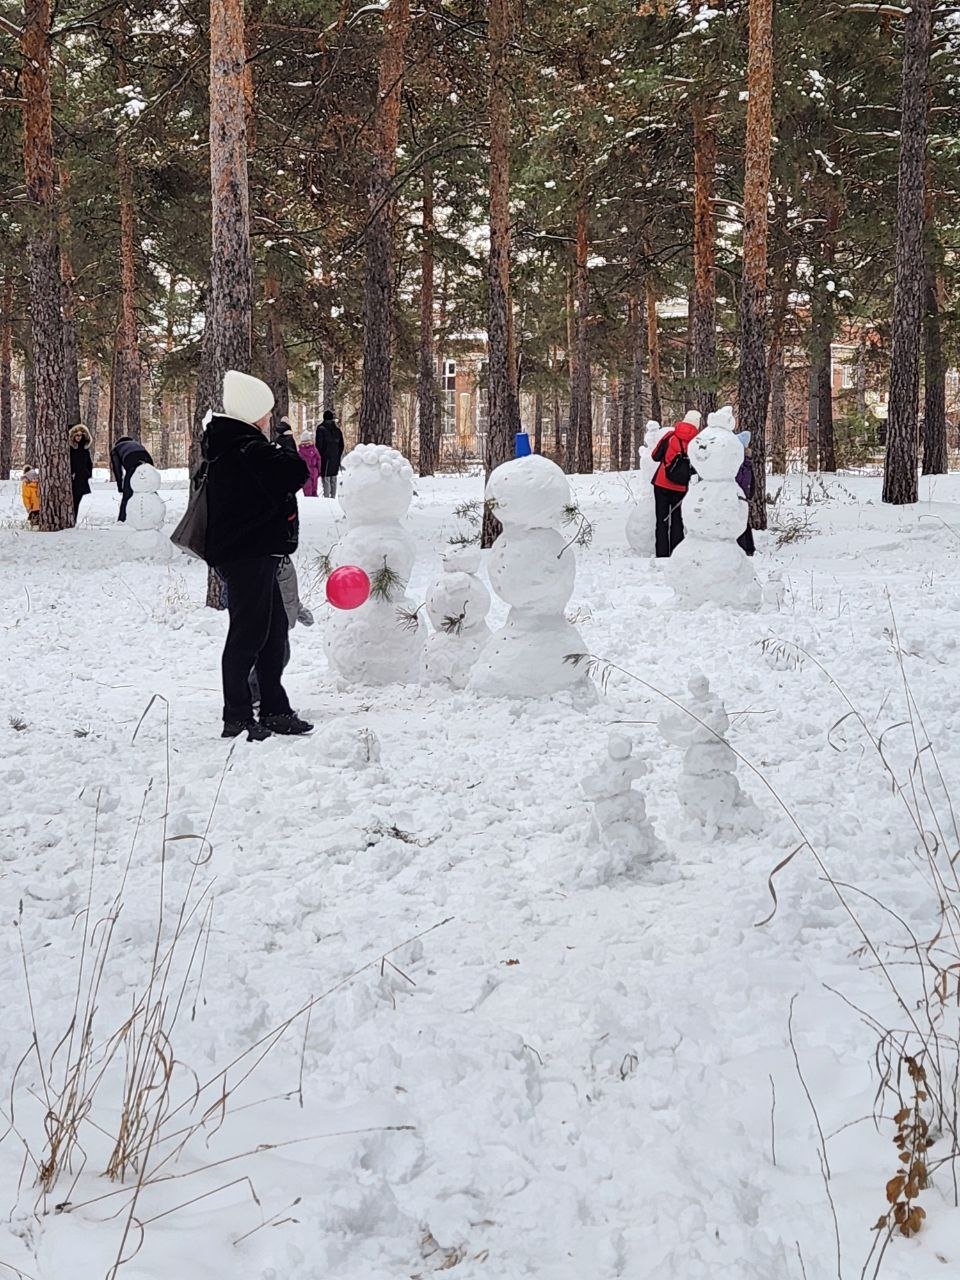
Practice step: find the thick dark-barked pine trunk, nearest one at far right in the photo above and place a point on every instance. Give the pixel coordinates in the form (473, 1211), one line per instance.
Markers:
(900, 464)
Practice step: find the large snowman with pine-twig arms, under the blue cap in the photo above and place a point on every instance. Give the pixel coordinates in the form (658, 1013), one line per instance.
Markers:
(533, 569)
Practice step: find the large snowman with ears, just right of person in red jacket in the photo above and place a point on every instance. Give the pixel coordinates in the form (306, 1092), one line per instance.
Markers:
(708, 568)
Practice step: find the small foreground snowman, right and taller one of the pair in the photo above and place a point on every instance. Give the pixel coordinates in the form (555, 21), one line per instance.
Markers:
(708, 789)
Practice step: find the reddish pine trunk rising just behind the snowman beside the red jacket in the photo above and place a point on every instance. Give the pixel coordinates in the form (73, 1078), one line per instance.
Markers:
(755, 388)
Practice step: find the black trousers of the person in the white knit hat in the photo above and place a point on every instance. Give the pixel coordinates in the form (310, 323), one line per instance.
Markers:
(257, 639)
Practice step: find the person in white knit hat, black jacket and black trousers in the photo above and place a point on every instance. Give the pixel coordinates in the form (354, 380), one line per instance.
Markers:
(253, 523)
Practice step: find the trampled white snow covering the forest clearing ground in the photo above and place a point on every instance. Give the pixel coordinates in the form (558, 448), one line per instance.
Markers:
(508, 1069)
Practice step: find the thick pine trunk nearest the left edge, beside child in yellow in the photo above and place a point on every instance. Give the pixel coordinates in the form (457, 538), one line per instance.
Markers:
(47, 322)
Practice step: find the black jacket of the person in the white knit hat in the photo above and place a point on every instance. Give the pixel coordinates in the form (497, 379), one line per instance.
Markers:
(252, 492)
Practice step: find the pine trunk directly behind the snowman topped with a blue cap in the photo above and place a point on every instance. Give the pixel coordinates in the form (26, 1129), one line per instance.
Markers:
(501, 386)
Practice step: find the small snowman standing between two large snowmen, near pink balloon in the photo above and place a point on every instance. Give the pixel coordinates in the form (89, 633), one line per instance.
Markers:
(458, 606)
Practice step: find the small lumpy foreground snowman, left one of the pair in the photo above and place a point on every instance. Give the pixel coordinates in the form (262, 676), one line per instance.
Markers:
(619, 821)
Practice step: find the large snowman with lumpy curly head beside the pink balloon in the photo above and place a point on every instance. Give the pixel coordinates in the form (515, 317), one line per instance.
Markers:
(373, 646)
